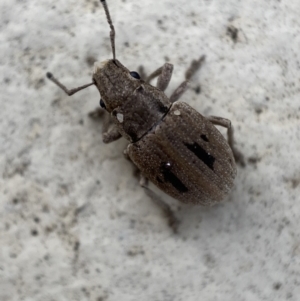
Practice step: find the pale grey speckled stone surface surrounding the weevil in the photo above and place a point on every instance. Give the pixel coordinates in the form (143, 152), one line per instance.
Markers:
(74, 223)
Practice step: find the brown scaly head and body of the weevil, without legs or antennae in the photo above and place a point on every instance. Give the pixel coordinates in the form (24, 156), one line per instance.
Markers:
(172, 144)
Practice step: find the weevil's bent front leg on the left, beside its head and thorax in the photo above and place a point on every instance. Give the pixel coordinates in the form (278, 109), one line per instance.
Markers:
(110, 132)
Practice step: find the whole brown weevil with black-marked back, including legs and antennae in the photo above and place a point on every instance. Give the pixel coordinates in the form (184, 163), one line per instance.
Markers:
(172, 145)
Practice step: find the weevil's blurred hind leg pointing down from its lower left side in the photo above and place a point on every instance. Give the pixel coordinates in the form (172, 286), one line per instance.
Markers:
(173, 221)
